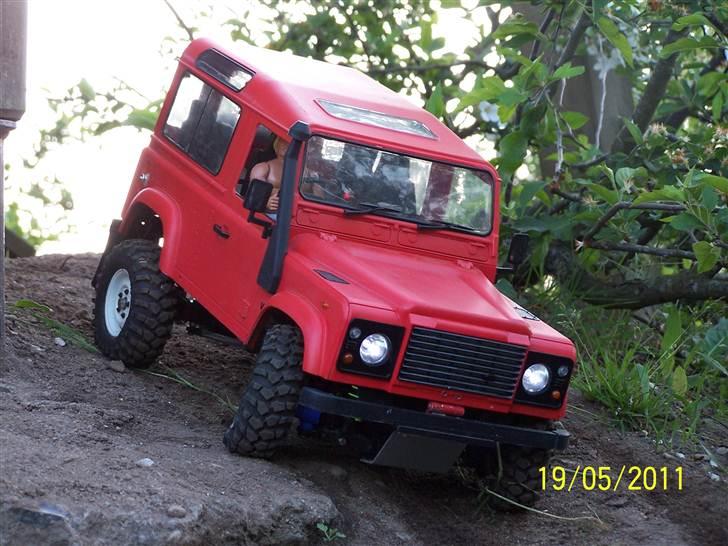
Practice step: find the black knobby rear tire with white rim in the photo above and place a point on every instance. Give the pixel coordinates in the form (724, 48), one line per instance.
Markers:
(150, 299)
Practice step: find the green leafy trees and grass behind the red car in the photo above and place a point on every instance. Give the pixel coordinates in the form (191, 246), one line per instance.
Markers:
(608, 120)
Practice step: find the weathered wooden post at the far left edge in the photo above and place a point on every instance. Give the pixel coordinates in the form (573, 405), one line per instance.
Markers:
(13, 30)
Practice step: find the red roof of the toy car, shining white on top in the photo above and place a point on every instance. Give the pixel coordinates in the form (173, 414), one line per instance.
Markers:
(287, 88)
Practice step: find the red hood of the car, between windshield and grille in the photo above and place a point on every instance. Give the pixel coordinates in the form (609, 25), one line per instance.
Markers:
(436, 291)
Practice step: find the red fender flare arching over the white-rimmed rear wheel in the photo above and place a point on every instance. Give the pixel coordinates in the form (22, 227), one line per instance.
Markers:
(169, 215)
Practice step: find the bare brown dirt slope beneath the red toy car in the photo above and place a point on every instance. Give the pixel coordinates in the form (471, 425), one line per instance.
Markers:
(90, 454)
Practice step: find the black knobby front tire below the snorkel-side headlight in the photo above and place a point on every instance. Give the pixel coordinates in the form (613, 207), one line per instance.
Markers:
(268, 405)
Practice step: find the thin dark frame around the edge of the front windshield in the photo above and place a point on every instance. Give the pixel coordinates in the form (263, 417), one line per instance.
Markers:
(465, 230)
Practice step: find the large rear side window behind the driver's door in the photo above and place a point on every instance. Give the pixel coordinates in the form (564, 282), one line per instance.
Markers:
(201, 122)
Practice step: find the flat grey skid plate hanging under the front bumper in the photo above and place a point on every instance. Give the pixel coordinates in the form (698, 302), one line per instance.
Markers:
(404, 449)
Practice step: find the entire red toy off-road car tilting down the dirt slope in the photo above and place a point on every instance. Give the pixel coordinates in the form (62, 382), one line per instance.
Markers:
(367, 292)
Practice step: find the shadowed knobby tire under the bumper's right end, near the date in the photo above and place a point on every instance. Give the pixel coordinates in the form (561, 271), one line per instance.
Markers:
(519, 480)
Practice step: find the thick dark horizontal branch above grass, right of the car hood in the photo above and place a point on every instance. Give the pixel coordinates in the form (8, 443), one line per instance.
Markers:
(632, 294)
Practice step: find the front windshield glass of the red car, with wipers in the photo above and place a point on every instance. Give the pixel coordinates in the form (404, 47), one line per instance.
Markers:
(431, 194)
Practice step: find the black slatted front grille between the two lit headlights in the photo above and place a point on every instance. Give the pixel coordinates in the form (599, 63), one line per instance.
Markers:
(463, 363)
